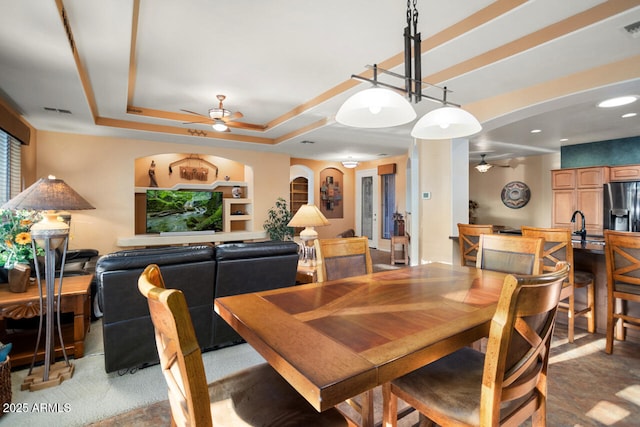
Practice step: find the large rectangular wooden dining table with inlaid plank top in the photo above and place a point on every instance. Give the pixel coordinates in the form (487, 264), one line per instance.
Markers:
(334, 340)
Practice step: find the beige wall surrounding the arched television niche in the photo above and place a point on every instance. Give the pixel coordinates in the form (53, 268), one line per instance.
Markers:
(102, 170)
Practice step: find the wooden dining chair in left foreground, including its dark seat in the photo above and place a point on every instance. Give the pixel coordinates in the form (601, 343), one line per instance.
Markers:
(254, 396)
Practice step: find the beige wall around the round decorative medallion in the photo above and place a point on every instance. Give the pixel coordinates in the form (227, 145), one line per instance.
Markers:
(535, 171)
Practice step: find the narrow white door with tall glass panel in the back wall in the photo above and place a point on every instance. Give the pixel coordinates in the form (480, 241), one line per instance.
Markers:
(367, 205)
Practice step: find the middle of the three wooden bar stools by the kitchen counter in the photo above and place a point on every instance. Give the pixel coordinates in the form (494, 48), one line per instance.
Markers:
(558, 247)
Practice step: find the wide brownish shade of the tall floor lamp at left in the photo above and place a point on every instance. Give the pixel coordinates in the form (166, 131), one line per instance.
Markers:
(48, 194)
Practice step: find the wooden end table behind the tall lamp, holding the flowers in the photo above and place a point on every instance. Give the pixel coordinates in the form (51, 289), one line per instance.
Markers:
(76, 299)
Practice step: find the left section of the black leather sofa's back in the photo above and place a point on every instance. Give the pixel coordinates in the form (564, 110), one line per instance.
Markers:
(127, 328)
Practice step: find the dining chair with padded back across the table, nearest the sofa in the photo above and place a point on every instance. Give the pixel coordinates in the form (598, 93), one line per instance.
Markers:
(338, 258)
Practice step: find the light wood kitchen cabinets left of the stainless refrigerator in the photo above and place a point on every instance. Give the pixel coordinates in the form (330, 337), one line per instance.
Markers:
(579, 189)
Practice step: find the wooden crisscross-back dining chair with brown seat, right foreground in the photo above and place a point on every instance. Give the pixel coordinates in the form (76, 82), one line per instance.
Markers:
(505, 387)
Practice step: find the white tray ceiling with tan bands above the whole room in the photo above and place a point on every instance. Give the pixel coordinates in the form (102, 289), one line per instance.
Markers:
(287, 64)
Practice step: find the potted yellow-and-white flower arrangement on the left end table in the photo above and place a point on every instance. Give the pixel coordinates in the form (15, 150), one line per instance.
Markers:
(16, 252)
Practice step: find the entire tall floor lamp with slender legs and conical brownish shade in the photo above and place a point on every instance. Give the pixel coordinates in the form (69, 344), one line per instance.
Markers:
(49, 195)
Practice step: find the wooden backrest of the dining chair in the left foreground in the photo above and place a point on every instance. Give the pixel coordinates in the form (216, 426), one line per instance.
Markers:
(180, 356)
